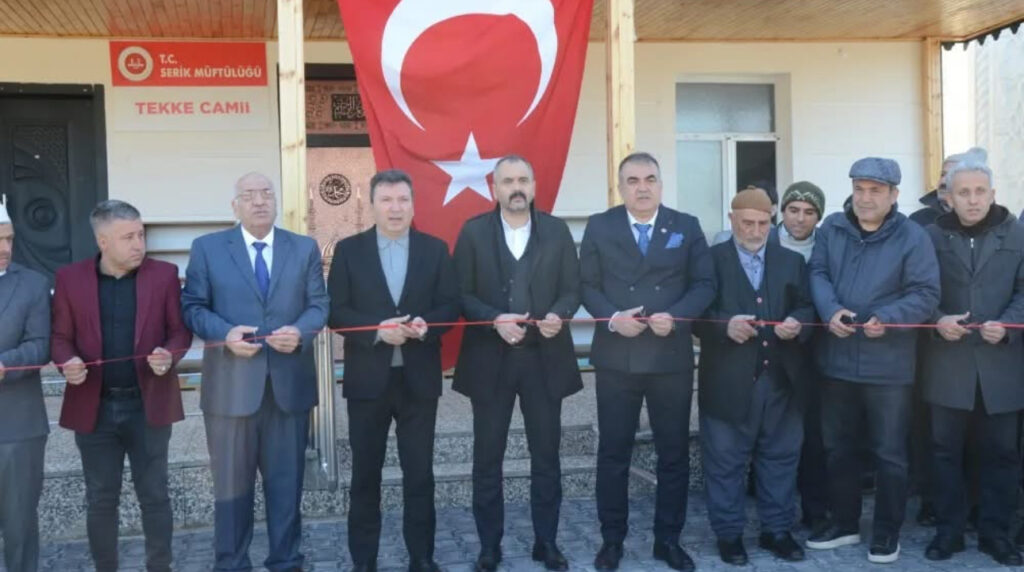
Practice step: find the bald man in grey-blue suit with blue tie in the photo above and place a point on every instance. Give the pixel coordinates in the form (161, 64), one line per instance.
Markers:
(259, 290)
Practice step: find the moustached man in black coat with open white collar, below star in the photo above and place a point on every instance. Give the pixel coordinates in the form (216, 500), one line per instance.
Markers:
(518, 265)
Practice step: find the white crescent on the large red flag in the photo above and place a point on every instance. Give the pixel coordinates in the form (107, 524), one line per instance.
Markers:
(412, 18)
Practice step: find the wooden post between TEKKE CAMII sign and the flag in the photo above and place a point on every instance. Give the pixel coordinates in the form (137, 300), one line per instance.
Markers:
(292, 105)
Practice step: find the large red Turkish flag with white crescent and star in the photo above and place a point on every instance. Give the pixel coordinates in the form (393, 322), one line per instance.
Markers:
(451, 86)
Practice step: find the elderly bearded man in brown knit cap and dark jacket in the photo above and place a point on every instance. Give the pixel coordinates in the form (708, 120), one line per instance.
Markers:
(752, 379)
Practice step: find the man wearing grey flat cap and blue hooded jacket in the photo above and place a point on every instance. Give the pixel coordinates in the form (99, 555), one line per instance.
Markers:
(871, 269)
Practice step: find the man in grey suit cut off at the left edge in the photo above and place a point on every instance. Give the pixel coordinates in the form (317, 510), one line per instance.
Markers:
(25, 341)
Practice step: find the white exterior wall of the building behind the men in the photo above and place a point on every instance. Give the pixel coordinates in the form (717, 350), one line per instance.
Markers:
(842, 102)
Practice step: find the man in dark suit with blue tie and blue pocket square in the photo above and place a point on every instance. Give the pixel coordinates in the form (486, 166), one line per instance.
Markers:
(644, 267)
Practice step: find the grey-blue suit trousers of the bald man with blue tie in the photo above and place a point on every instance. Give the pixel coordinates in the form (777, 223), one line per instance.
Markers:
(274, 443)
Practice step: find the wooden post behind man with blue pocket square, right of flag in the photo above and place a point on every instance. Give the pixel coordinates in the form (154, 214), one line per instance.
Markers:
(621, 89)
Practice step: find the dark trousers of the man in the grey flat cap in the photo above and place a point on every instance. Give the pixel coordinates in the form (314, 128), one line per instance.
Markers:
(851, 411)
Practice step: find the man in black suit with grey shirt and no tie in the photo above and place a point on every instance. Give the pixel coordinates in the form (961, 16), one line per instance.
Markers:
(402, 281)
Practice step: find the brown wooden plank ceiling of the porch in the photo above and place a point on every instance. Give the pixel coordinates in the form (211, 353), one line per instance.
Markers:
(656, 20)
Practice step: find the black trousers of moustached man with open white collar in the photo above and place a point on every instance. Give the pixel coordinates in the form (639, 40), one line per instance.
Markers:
(523, 376)
